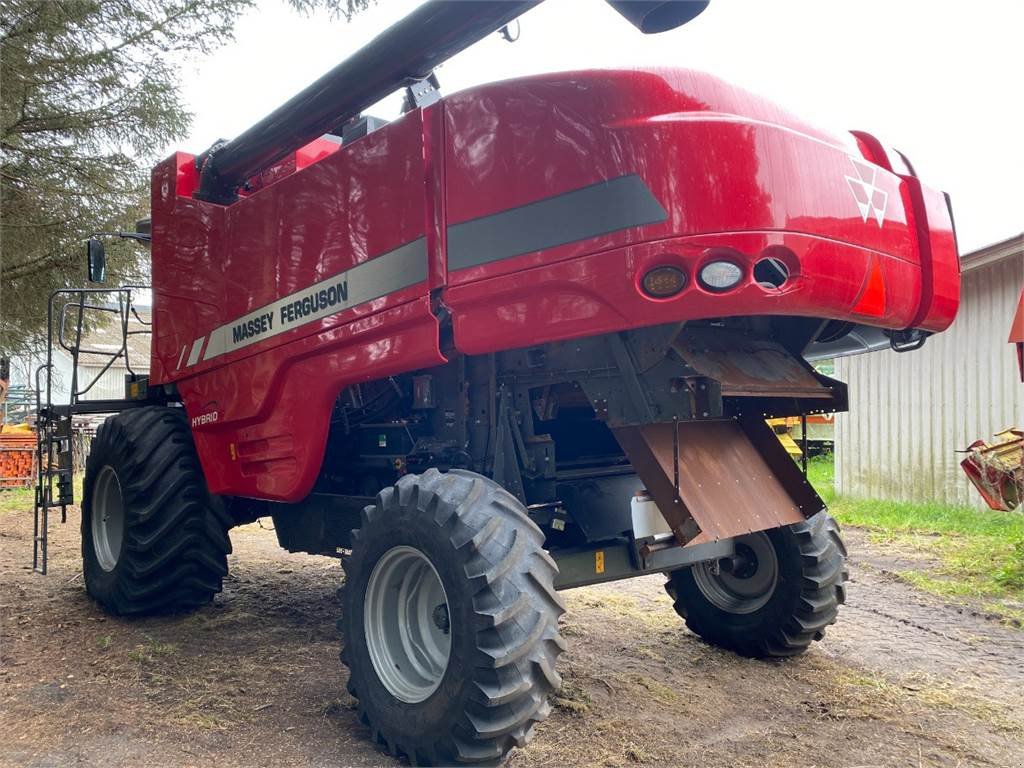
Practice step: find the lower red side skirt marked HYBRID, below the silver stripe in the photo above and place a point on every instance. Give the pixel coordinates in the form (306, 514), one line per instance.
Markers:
(276, 451)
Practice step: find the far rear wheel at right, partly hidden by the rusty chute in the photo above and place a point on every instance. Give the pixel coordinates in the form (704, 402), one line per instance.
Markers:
(776, 598)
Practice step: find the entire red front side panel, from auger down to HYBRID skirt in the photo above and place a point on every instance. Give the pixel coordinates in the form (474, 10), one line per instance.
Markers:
(270, 307)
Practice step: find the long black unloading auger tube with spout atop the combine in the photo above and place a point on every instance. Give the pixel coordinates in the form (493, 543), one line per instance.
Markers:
(406, 54)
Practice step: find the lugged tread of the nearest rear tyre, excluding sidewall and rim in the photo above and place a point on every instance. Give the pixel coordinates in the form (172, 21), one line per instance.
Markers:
(517, 613)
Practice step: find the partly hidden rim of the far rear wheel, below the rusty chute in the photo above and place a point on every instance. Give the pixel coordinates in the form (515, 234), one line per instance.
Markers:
(748, 589)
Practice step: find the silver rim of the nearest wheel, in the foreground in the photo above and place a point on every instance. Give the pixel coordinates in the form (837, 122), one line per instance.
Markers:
(408, 624)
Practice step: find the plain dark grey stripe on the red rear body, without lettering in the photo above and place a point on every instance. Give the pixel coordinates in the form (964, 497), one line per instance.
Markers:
(581, 215)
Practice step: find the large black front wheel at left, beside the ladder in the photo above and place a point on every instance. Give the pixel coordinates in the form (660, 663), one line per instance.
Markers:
(154, 540)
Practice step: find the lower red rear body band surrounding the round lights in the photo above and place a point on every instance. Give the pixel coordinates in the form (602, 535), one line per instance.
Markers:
(601, 293)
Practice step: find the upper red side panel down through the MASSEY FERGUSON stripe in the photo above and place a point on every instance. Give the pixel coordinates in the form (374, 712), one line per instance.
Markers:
(326, 222)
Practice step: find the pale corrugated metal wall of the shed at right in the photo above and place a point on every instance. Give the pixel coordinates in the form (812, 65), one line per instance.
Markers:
(911, 413)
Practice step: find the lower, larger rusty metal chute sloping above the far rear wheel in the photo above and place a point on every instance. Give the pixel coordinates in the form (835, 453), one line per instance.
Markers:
(709, 479)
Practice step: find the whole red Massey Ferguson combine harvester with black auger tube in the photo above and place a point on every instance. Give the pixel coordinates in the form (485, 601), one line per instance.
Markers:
(523, 338)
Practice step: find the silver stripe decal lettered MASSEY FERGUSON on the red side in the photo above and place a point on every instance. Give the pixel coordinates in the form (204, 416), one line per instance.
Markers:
(381, 276)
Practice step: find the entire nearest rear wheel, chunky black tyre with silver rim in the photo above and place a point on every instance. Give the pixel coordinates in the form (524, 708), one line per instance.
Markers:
(451, 620)
